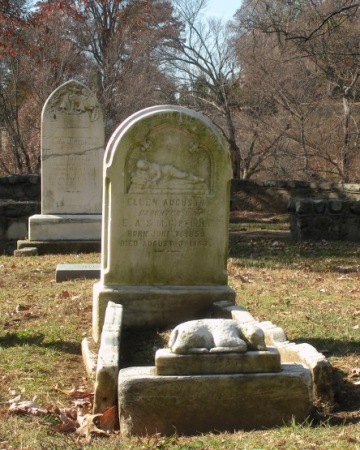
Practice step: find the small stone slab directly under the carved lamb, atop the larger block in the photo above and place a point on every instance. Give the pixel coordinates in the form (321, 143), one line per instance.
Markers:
(168, 363)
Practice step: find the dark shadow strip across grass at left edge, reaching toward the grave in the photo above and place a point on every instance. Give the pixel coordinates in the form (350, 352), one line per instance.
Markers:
(37, 340)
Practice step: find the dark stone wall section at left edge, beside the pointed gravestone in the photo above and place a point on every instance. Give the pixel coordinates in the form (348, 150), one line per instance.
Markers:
(19, 199)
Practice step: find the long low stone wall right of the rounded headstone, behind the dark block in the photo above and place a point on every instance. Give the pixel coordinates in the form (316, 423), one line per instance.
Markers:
(274, 196)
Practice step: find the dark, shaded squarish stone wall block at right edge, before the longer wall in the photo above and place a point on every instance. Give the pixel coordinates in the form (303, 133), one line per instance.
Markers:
(329, 219)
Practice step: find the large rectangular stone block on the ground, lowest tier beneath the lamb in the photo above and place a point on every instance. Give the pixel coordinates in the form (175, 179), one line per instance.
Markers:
(188, 405)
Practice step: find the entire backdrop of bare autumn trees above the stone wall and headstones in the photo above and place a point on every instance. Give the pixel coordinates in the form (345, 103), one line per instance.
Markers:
(281, 80)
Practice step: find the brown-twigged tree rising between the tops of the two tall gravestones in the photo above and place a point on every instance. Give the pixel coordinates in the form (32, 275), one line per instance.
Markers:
(120, 38)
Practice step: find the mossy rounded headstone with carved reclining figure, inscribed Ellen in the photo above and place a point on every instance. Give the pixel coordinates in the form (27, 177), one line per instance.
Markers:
(166, 188)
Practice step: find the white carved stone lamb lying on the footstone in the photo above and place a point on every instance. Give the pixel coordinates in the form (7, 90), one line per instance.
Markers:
(216, 335)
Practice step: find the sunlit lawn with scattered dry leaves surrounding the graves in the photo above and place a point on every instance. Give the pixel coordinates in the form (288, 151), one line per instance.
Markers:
(312, 290)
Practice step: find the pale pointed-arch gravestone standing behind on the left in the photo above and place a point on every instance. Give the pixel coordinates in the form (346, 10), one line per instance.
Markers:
(72, 149)
